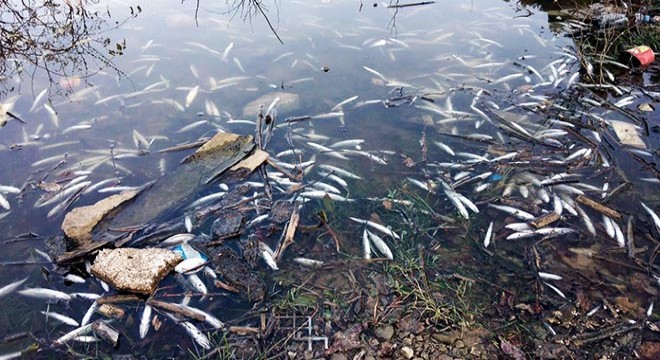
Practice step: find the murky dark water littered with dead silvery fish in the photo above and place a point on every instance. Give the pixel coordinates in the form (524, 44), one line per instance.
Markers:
(416, 97)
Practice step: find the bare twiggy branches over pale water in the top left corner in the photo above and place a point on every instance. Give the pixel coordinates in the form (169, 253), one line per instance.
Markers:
(62, 42)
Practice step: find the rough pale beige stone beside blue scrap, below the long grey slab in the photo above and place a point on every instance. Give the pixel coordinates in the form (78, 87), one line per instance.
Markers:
(134, 270)
